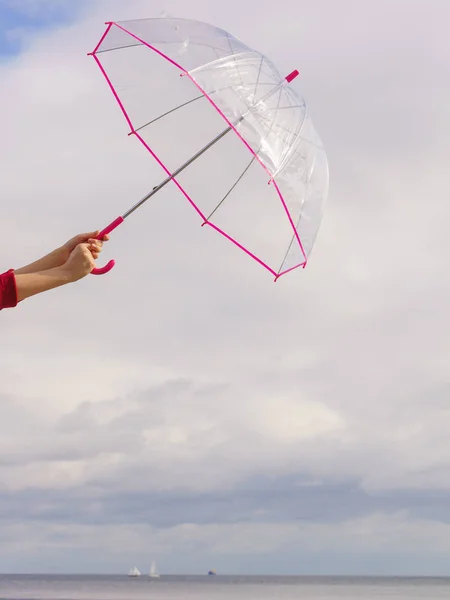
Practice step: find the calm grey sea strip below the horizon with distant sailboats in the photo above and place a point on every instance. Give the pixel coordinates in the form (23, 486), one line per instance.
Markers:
(46, 587)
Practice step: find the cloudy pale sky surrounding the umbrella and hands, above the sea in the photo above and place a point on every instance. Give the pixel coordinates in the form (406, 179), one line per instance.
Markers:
(184, 407)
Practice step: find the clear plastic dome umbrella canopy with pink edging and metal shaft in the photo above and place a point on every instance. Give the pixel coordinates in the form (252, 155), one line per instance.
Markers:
(230, 132)
